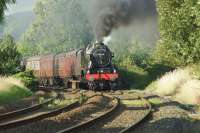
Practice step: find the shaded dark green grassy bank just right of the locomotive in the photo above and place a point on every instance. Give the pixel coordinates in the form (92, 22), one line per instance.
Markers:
(135, 77)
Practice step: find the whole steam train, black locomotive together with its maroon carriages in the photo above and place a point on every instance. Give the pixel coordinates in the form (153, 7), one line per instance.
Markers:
(92, 66)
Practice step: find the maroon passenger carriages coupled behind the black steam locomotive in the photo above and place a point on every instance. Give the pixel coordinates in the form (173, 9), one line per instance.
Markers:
(58, 69)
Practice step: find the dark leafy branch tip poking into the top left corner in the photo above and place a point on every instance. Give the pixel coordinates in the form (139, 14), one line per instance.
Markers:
(3, 7)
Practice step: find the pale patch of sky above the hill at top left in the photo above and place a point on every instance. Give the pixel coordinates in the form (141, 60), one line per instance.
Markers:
(20, 6)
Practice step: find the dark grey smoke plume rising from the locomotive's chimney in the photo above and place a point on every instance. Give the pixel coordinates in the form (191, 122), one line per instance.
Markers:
(111, 14)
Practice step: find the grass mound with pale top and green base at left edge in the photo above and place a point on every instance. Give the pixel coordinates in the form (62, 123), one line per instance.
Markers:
(12, 90)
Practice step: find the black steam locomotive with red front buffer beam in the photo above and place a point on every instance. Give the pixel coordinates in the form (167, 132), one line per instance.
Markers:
(101, 73)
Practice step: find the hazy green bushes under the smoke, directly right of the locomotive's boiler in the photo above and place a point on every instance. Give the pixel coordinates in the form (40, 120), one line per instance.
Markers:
(131, 54)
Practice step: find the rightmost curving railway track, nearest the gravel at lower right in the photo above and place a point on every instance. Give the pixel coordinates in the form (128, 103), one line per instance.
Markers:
(97, 125)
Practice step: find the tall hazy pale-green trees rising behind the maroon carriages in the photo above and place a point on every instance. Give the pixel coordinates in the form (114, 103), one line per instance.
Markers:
(59, 26)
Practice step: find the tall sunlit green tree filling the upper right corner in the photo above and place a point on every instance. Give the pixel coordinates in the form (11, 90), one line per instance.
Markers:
(179, 42)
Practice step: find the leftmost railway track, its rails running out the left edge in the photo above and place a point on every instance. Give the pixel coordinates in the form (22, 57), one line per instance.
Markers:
(32, 114)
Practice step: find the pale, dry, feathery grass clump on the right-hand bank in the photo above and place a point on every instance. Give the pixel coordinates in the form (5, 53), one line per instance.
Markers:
(181, 84)
